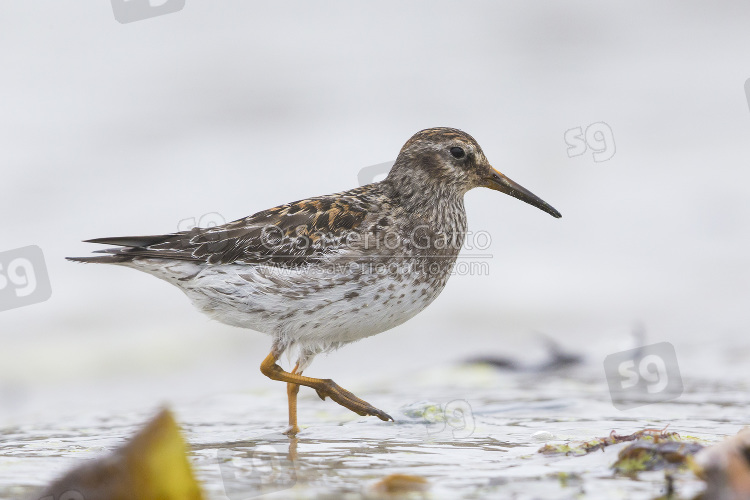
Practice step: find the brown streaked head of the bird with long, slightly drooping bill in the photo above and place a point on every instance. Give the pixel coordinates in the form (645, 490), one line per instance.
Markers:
(447, 158)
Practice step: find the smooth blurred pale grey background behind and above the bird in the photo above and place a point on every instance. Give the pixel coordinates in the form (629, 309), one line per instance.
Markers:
(236, 106)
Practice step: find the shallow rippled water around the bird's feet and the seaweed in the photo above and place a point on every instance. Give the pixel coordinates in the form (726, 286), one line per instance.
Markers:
(471, 430)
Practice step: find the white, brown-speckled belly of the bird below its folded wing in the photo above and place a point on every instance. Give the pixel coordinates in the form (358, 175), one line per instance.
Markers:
(314, 309)
